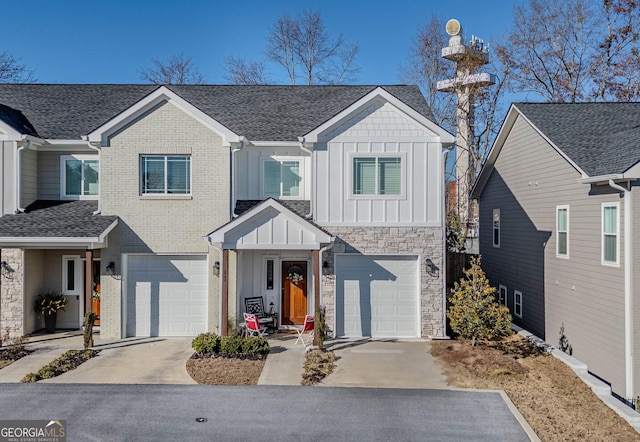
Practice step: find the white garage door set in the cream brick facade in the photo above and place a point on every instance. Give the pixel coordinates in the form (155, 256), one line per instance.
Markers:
(166, 295)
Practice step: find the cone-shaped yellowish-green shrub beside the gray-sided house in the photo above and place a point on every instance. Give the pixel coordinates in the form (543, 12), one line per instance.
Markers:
(473, 313)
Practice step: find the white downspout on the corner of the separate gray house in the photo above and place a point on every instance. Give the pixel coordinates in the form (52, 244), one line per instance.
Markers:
(628, 313)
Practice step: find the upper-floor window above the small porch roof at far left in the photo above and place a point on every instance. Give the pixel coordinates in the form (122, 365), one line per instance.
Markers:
(79, 176)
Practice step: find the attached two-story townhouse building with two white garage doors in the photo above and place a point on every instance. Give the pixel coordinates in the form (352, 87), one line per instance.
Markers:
(176, 203)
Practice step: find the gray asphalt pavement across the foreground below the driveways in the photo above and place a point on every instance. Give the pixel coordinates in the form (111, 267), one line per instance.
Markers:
(263, 413)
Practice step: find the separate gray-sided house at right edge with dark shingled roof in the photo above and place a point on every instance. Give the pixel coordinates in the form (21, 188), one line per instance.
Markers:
(559, 204)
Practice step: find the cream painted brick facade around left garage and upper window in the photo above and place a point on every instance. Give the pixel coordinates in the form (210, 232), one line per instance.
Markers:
(169, 224)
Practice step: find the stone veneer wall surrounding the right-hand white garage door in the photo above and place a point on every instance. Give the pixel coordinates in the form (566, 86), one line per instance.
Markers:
(423, 241)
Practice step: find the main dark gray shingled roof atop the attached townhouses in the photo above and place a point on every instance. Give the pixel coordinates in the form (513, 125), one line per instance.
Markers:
(260, 113)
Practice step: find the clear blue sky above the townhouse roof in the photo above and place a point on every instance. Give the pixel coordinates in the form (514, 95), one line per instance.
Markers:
(90, 41)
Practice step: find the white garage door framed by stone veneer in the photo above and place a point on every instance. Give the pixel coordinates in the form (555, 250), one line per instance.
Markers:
(377, 296)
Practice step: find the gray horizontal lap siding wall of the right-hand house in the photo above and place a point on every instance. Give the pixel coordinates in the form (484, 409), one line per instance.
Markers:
(577, 296)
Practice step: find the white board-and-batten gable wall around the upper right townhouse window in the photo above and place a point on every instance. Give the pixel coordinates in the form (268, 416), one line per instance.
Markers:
(379, 129)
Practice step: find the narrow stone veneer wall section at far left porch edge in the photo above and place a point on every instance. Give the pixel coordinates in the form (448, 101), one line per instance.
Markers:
(11, 304)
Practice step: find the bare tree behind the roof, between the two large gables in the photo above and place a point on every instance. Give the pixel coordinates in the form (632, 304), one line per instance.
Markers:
(303, 43)
